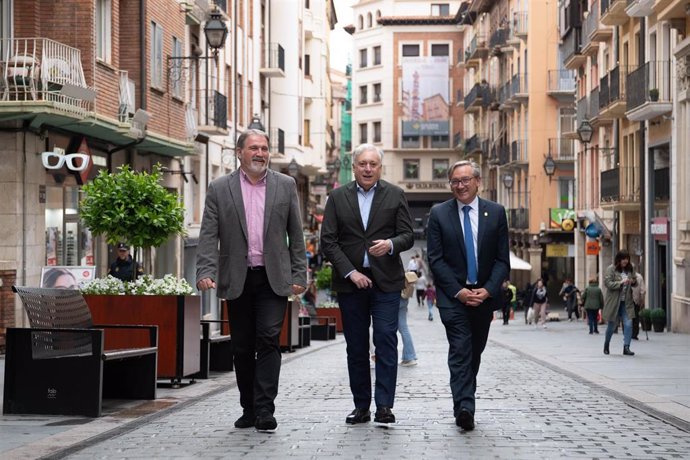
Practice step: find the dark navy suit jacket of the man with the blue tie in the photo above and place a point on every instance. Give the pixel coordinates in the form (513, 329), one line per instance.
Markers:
(446, 251)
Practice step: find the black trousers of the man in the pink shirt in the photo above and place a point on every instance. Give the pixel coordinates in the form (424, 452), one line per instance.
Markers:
(256, 318)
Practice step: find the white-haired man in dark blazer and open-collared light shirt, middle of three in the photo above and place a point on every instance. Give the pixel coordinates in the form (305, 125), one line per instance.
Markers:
(366, 226)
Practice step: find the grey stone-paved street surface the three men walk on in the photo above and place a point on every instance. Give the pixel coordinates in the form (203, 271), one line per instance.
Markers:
(542, 394)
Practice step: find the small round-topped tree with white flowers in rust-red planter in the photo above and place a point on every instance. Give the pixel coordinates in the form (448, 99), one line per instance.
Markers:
(133, 207)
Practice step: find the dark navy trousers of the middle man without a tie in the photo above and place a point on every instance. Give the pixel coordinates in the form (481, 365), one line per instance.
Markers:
(359, 309)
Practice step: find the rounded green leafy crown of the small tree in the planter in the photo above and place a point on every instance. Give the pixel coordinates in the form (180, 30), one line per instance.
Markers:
(132, 207)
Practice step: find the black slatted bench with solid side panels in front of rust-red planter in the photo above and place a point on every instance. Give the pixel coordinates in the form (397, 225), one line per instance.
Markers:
(59, 365)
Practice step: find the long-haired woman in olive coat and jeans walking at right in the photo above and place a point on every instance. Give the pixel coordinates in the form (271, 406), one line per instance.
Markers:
(619, 279)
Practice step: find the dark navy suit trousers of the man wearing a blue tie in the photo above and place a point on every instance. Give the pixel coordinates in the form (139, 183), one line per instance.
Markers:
(467, 329)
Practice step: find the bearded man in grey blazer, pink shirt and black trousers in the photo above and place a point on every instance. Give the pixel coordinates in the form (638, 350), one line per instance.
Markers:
(251, 247)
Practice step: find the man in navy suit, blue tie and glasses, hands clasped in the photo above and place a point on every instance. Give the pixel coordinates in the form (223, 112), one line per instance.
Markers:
(467, 244)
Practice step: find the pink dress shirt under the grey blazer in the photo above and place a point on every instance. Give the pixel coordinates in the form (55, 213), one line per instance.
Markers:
(254, 198)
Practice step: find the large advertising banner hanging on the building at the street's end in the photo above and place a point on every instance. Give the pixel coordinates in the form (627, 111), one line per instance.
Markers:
(425, 96)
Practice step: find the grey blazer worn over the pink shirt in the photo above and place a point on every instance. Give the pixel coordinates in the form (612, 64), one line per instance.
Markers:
(222, 250)
